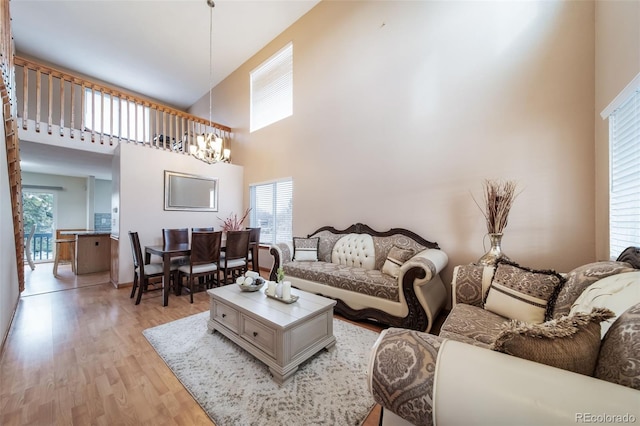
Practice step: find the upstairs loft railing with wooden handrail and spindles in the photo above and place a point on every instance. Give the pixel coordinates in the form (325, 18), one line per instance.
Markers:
(61, 104)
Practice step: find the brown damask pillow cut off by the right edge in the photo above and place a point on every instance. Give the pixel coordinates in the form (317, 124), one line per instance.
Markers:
(619, 360)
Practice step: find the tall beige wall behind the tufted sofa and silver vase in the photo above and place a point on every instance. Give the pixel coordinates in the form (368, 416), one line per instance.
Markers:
(401, 109)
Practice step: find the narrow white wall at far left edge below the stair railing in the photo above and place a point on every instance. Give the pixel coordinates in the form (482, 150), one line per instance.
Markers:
(8, 266)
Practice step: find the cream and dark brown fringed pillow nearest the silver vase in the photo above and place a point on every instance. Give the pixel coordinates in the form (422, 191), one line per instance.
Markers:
(521, 293)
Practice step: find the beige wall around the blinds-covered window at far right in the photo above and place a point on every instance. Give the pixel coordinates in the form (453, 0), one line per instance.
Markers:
(617, 63)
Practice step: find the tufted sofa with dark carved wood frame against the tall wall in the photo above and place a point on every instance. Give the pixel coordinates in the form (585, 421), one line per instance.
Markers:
(349, 268)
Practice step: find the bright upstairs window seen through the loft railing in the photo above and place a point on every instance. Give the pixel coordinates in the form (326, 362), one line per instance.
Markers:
(135, 118)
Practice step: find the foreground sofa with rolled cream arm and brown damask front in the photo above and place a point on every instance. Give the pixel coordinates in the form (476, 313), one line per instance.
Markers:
(457, 379)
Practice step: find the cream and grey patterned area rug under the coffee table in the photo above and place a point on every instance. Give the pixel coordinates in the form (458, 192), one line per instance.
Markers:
(234, 388)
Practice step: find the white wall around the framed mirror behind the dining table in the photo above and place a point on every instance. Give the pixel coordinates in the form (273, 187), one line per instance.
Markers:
(141, 197)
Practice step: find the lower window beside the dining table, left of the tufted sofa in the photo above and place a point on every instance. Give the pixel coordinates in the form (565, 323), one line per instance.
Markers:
(271, 210)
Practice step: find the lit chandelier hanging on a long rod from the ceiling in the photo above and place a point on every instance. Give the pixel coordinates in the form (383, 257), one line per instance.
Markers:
(210, 146)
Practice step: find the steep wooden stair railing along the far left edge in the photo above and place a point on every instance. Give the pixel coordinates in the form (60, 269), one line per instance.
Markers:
(7, 89)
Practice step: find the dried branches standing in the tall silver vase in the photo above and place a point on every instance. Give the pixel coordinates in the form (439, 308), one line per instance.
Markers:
(498, 199)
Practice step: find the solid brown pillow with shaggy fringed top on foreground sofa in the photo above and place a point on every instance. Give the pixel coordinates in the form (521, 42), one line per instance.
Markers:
(570, 342)
